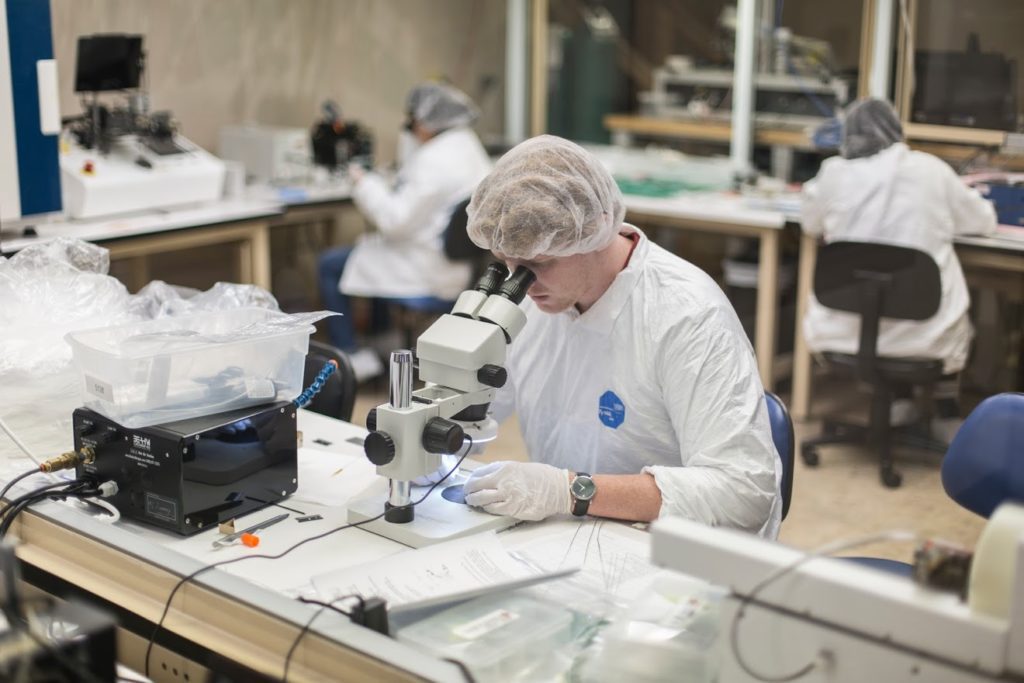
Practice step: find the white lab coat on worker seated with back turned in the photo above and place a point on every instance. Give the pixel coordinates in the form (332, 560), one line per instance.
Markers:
(903, 198)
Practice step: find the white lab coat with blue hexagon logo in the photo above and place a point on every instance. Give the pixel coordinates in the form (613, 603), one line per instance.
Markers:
(657, 376)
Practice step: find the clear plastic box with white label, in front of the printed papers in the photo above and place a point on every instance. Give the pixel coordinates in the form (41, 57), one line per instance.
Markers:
(499, 637)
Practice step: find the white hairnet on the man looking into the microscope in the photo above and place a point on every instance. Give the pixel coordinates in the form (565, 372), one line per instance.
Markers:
(547, 196)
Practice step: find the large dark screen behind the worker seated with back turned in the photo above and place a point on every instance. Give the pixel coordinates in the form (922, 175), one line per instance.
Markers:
(972, 90)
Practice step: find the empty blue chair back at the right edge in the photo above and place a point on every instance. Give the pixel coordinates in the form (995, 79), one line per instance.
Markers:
(985, 465)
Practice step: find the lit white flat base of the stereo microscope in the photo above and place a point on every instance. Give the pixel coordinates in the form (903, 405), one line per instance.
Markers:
(437, 520)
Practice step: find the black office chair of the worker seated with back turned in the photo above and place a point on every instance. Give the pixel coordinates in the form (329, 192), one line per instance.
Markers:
(877, 282)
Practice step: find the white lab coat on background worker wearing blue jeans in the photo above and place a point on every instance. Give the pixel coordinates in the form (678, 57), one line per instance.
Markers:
(405, 257)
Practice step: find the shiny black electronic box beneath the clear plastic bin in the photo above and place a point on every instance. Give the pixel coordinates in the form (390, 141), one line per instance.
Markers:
(189, 476)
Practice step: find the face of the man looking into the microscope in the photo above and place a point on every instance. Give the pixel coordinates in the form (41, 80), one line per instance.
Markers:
(563, 282)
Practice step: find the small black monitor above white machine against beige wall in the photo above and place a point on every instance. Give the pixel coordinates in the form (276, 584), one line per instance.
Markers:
(108, 62)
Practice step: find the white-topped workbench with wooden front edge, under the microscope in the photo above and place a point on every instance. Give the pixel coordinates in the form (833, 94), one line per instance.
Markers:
(247, 612)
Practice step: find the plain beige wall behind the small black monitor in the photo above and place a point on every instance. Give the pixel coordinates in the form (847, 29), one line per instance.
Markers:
(216, 63)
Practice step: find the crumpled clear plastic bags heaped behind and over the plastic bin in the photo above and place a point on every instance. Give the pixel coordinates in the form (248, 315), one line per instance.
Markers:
(60, 287)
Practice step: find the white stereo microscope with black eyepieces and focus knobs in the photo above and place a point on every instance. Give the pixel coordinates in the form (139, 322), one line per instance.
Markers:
(461, 360)
